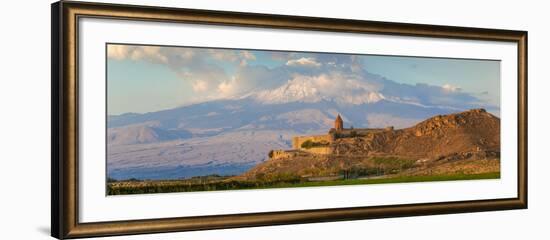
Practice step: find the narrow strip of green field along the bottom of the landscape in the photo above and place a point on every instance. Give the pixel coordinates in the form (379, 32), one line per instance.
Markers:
(143, 187)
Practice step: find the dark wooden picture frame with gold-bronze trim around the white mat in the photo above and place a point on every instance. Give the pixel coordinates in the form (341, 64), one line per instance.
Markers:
(65, 119)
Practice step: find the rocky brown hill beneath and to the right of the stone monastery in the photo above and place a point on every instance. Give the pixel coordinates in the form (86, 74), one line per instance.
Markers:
(467, 137)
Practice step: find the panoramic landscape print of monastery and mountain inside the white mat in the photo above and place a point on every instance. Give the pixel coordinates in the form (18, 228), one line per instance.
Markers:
(186, 119)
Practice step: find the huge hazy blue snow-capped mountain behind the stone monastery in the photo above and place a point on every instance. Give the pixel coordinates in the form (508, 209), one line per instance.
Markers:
(229, 136)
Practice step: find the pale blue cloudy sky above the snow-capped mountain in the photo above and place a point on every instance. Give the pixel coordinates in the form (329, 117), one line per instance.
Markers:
(151, 78)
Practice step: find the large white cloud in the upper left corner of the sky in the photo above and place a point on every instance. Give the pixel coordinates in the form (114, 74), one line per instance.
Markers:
(195, 66)
